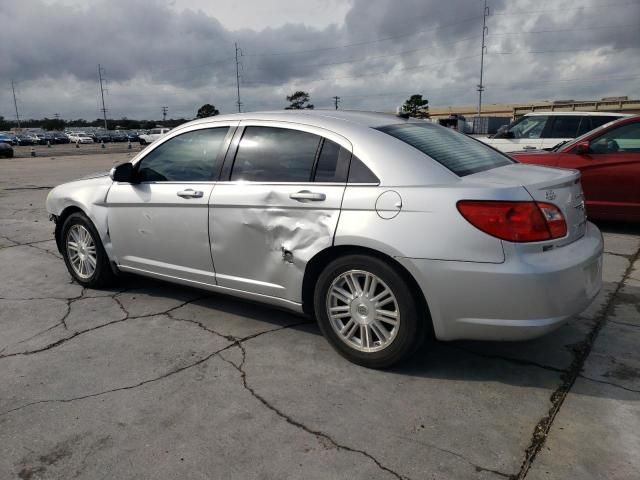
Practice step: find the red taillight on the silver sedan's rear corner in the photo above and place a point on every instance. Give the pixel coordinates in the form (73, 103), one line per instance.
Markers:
(515, 221)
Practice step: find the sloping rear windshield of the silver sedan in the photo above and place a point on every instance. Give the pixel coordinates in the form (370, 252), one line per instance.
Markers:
(457, 152)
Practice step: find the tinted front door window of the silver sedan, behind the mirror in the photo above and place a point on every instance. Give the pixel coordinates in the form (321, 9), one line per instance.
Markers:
(189, 157)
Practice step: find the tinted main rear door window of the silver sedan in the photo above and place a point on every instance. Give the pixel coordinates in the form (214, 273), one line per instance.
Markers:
(270, 154)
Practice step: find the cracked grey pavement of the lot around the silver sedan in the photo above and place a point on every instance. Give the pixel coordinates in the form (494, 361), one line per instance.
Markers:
(150, 380)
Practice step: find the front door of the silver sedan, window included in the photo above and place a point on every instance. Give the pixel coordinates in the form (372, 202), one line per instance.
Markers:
(160, 223)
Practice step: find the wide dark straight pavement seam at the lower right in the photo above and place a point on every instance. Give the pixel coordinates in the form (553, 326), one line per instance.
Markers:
(580, 354)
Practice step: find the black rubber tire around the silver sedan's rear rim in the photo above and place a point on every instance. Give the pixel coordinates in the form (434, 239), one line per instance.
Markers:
(411, 328)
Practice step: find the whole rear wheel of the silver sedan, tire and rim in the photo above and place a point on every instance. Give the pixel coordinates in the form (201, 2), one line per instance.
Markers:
(367, 311)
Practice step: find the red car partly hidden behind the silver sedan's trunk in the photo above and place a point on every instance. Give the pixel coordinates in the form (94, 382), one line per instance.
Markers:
(609, 160)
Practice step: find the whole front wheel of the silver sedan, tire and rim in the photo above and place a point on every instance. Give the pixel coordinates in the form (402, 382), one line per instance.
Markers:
(83, 252)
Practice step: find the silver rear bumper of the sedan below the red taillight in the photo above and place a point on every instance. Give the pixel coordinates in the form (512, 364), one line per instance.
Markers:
(526, 296)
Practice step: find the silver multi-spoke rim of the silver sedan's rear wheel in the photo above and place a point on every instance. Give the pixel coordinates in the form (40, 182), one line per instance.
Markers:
(363, 311)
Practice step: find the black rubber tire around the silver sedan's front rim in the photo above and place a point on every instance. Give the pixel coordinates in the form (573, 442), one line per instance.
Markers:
(103, 274)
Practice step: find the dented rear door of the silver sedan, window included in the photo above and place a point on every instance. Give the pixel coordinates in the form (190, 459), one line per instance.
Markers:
(276, 206)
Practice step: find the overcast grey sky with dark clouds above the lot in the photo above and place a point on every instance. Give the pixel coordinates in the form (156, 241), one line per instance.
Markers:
(372, 53)
